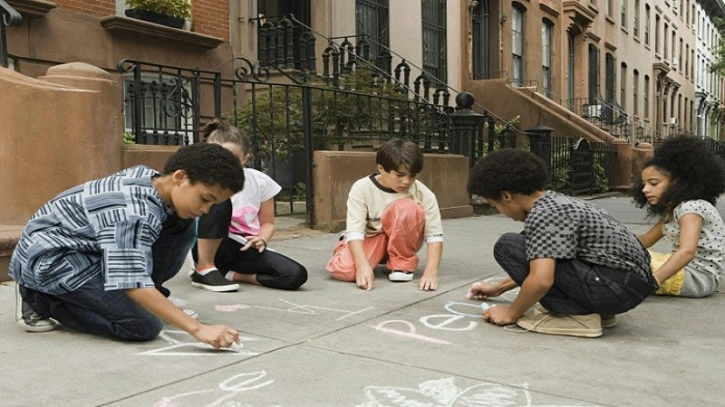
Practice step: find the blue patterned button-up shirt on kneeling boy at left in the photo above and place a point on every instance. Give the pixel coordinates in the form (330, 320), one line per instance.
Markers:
(105, 226)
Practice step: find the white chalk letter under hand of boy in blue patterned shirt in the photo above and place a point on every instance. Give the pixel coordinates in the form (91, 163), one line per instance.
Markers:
(180, 346)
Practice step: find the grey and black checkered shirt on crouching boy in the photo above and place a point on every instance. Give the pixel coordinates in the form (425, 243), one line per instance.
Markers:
(562, 227)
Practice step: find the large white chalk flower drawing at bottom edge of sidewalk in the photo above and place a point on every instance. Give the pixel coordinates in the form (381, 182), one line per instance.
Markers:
(445, 393)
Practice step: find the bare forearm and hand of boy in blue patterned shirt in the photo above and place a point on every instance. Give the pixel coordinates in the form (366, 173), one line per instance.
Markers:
(218, 336)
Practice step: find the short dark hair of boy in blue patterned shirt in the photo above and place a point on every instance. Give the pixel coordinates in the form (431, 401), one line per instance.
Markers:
(210, 164)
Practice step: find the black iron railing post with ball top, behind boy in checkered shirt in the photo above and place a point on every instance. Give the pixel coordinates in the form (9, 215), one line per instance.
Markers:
(465, 124)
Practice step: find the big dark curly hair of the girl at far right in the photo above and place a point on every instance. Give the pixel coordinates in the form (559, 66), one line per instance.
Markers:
(695, 172)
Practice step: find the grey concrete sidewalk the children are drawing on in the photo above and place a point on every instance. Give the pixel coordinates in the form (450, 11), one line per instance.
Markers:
(331, 344)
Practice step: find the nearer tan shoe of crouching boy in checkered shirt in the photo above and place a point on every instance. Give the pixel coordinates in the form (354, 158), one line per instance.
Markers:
(585, 326)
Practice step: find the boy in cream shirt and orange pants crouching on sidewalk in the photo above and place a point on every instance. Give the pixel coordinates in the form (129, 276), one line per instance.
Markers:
(389, 215)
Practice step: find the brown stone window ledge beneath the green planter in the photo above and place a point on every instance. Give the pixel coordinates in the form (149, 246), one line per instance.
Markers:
(135, 26)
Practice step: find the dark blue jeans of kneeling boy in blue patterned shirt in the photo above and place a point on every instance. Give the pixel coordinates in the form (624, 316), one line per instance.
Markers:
(93, 310)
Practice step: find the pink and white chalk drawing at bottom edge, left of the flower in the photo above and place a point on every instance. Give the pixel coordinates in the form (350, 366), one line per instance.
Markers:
(226, 390)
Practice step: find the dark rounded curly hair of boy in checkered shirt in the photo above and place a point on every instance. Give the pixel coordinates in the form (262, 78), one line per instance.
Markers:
(512, 170)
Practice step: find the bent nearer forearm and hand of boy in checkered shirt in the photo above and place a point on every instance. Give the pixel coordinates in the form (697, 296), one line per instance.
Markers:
(534, 287)
